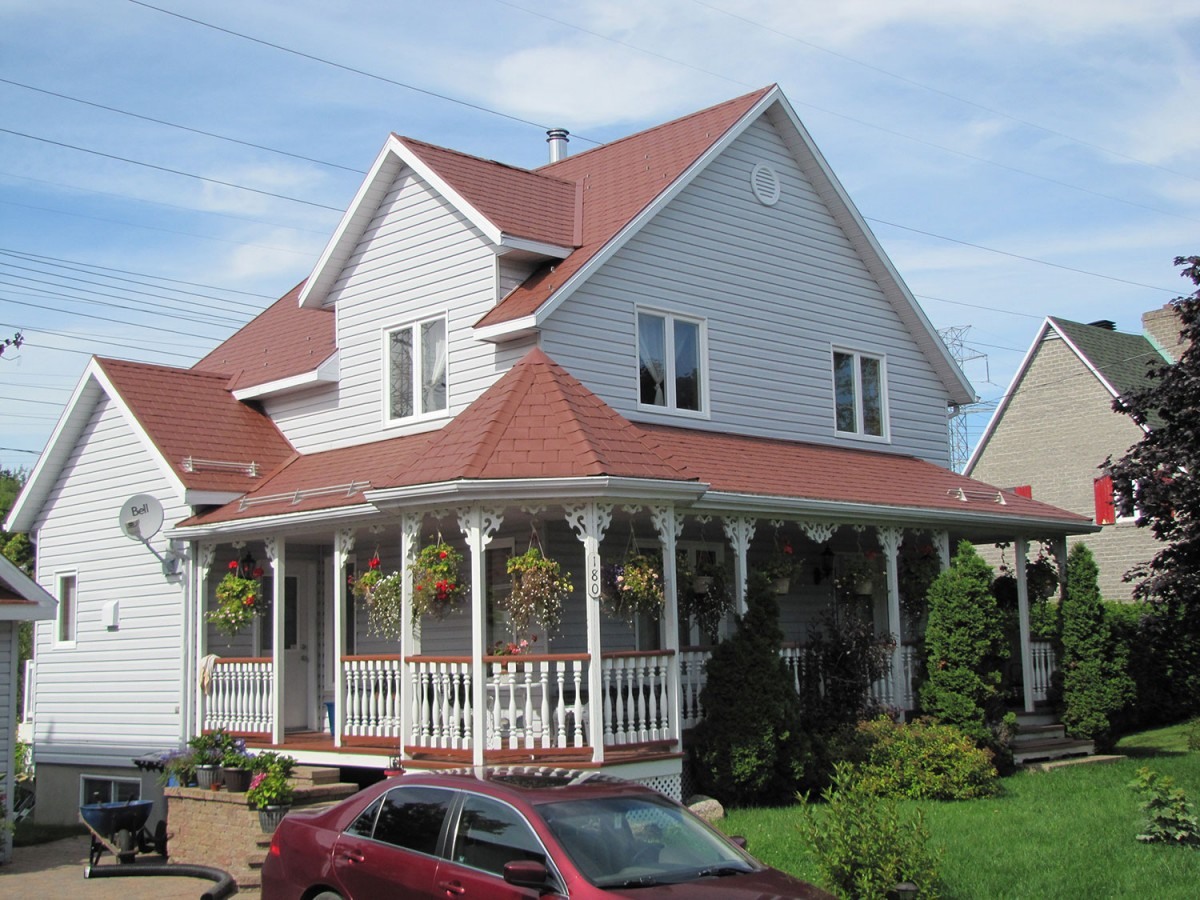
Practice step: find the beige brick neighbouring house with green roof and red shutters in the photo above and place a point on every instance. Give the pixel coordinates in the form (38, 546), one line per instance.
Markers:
(1055, 428)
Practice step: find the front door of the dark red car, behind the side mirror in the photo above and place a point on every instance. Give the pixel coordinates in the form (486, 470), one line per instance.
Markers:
(488, 835)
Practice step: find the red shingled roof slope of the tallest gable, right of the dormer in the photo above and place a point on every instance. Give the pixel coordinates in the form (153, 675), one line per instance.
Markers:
(620, 181)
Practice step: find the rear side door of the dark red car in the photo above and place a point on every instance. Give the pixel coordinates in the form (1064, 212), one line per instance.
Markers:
(392, 849)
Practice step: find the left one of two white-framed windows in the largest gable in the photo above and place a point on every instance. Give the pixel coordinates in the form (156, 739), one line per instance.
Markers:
(671, 362)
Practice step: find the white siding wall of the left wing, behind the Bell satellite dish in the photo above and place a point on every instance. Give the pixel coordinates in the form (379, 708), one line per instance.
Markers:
(115, 694)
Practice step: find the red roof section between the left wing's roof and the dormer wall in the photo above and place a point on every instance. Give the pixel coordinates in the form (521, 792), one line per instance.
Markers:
(283, 341)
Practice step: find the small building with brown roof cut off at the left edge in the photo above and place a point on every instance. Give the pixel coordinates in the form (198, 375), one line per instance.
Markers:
(21, 601)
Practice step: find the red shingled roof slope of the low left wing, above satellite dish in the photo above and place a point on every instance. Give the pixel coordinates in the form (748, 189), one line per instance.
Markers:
(193, 415)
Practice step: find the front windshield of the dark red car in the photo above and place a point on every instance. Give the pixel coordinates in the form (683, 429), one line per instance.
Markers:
(637, 842)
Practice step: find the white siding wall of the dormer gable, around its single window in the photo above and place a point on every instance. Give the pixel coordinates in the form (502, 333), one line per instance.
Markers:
(418, 259)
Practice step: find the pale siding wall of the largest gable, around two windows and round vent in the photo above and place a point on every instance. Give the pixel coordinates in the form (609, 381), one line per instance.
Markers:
(777, 285)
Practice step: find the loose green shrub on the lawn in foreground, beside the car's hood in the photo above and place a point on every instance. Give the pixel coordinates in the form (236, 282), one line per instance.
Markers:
(865, 847)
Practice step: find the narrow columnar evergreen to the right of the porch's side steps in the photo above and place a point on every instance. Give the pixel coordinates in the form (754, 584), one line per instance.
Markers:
(1096, 685)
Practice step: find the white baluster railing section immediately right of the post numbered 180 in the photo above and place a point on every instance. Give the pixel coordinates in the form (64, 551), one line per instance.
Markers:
(637, 698)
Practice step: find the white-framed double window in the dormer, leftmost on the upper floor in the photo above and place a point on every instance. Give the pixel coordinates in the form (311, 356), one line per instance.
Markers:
(417, 370)
